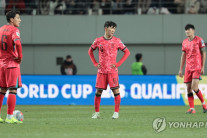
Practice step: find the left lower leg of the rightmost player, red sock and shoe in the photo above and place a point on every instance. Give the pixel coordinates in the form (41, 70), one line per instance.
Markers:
(190, 99)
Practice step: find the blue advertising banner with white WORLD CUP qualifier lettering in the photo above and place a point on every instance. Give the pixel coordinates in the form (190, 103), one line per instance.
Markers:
(80, 90)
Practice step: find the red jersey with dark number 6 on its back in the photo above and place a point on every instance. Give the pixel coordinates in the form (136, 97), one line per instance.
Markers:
(8, 35)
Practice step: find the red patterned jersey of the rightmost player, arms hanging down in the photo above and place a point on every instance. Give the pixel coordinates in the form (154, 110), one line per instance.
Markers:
(193, 53)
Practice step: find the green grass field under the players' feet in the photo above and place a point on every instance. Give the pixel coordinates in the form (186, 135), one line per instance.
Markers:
(75, 121)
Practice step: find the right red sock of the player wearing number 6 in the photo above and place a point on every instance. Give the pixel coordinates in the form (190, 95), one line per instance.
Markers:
(11, 102)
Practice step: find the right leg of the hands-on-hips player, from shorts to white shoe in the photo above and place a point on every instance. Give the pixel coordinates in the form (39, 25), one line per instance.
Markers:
(114, 85)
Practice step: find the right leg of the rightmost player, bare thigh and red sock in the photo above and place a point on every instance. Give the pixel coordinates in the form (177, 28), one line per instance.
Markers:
(195, 88)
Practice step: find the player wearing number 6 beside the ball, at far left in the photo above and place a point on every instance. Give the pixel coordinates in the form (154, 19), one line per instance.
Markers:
(10, 59)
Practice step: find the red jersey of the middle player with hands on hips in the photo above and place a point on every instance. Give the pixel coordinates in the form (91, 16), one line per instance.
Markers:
(107, 52)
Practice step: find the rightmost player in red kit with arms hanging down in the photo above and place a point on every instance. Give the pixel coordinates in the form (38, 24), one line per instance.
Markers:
(194, 54)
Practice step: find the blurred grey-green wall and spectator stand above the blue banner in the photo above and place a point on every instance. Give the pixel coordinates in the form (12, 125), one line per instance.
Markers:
(53, 29)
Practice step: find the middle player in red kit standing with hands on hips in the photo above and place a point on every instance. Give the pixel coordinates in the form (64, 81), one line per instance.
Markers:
(108, 45)
